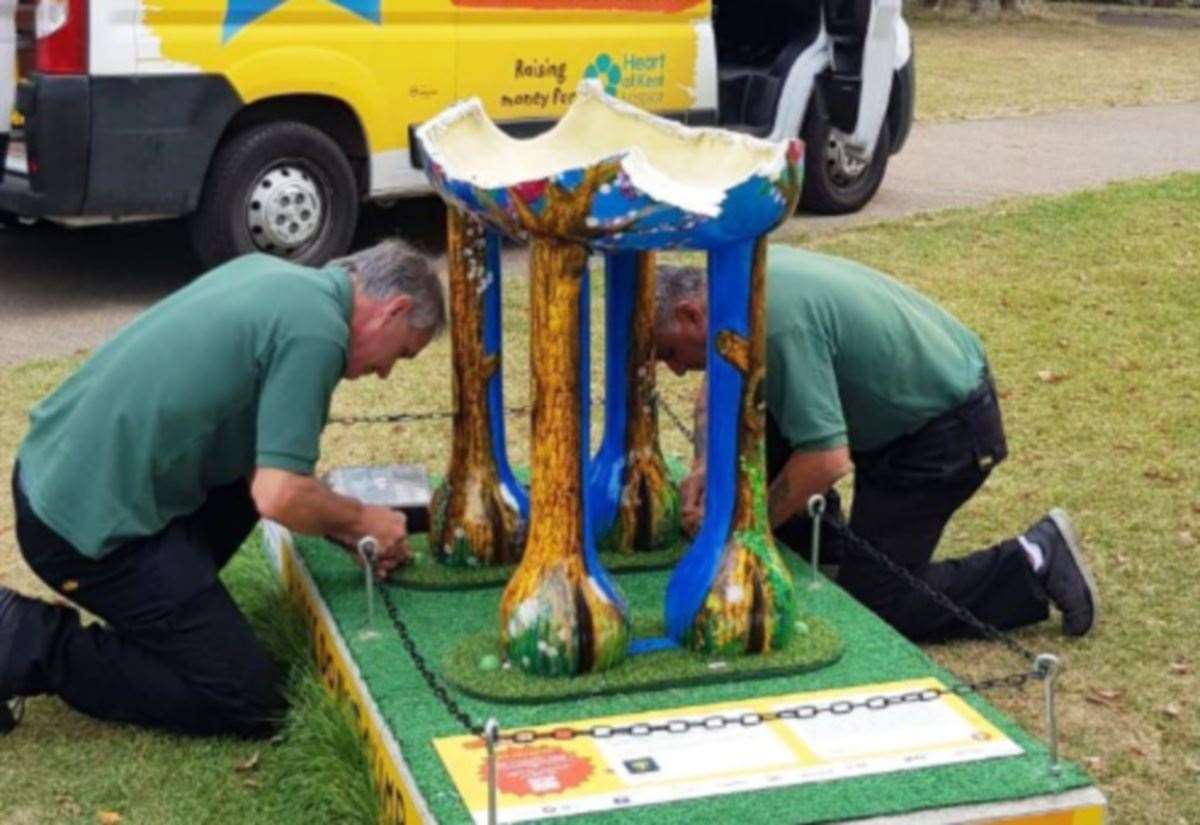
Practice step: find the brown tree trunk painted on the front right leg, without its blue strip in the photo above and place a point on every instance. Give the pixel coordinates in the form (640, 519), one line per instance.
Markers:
(752, 604)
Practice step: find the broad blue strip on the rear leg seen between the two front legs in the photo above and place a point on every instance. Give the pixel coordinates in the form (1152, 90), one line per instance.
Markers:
(609, 466)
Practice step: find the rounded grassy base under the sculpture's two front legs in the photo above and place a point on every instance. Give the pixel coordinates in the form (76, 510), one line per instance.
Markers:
(814, 646)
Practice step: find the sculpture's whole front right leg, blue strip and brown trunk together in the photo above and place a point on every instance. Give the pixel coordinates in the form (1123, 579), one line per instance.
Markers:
(733, 593)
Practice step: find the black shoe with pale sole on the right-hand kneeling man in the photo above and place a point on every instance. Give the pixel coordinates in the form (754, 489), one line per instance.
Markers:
(1065, 576)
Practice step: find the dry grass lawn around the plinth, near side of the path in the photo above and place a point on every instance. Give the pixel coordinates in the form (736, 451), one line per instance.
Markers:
(1088, 305)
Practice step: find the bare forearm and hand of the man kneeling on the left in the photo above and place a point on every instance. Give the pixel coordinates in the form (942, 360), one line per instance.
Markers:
(304, 505)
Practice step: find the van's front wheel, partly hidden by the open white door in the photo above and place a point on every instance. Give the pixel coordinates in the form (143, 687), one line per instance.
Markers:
(836, 183)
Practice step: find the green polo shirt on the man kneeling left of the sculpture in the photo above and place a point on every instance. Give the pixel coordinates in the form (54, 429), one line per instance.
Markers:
(235, 371)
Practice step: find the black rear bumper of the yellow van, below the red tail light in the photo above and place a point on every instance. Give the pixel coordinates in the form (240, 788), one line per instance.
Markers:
(115, 147)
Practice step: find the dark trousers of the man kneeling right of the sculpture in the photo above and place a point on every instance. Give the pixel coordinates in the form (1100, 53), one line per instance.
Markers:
(905, 493)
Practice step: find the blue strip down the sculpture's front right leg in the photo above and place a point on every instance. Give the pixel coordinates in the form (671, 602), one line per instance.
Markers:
(729, 304)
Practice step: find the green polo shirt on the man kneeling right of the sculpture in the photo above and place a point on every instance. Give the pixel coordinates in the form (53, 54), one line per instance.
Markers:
(857, 359)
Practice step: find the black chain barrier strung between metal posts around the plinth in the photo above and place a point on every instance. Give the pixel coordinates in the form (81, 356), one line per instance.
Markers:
(1039, 671)
